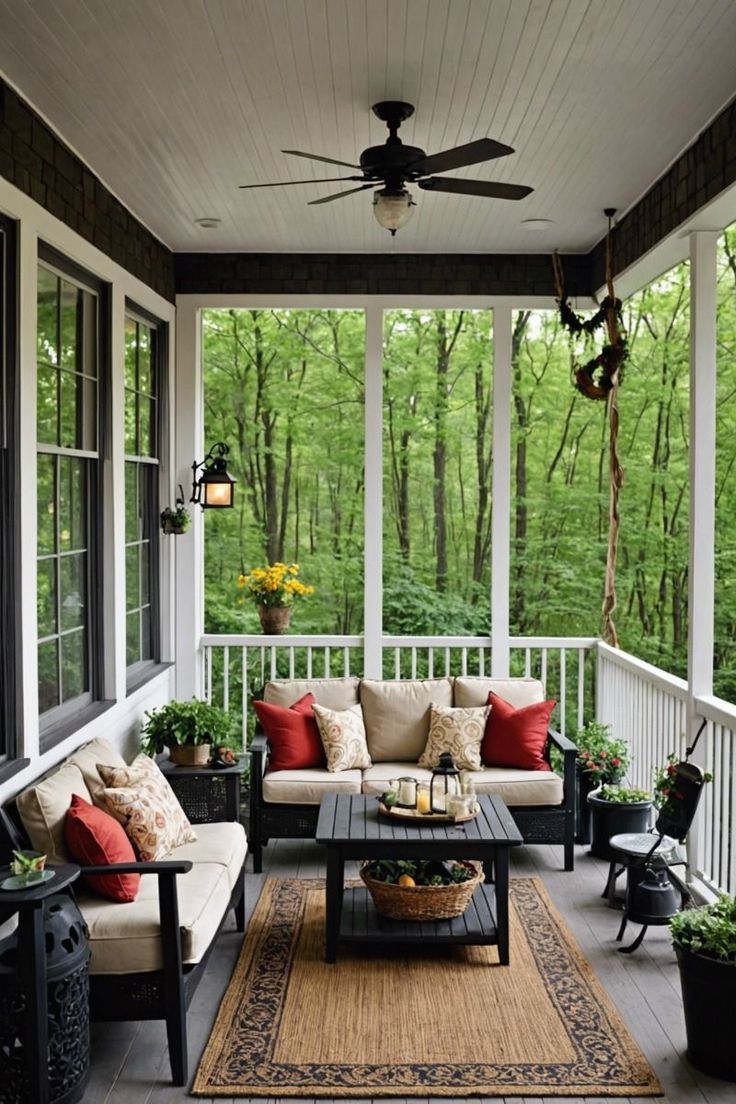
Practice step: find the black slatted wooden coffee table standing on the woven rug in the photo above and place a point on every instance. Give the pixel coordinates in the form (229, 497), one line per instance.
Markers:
(351, 827)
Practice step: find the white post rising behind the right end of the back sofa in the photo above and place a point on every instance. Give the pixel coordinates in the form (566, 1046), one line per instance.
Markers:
(502, 514)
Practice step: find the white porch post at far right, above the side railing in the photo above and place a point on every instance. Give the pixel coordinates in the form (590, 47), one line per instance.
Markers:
(702, 480)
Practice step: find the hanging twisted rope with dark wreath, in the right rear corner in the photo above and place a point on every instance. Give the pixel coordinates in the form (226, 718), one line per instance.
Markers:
(600, 379)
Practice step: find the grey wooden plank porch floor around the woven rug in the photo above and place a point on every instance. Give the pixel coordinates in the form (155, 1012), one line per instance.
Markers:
(130, 1061)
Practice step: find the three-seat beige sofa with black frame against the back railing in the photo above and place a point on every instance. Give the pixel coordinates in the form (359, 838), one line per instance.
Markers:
(284, 804)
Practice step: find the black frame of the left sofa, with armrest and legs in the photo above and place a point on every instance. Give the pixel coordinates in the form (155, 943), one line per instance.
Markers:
(158, 995)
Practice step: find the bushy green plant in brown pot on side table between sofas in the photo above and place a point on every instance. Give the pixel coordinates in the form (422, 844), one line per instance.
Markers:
(188, 729)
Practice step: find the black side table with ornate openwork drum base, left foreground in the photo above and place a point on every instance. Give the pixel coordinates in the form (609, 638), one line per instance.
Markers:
(42, 961)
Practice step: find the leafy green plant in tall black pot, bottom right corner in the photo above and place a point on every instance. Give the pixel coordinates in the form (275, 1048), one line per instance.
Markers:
(706, 946)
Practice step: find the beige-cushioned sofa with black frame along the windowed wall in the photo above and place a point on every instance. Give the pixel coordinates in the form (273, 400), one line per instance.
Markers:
(146, 957)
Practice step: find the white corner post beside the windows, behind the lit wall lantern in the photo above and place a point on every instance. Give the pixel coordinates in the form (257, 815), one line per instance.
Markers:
(189, 445)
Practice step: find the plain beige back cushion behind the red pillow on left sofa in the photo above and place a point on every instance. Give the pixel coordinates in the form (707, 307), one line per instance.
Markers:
(44, 809)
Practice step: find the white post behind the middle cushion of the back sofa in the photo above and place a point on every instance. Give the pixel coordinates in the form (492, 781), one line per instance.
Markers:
(374, 511)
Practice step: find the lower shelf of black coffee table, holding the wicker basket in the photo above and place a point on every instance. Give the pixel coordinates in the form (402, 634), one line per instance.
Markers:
(360, 922)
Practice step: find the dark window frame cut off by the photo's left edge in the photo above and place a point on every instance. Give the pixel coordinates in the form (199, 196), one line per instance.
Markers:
(12, 731)
